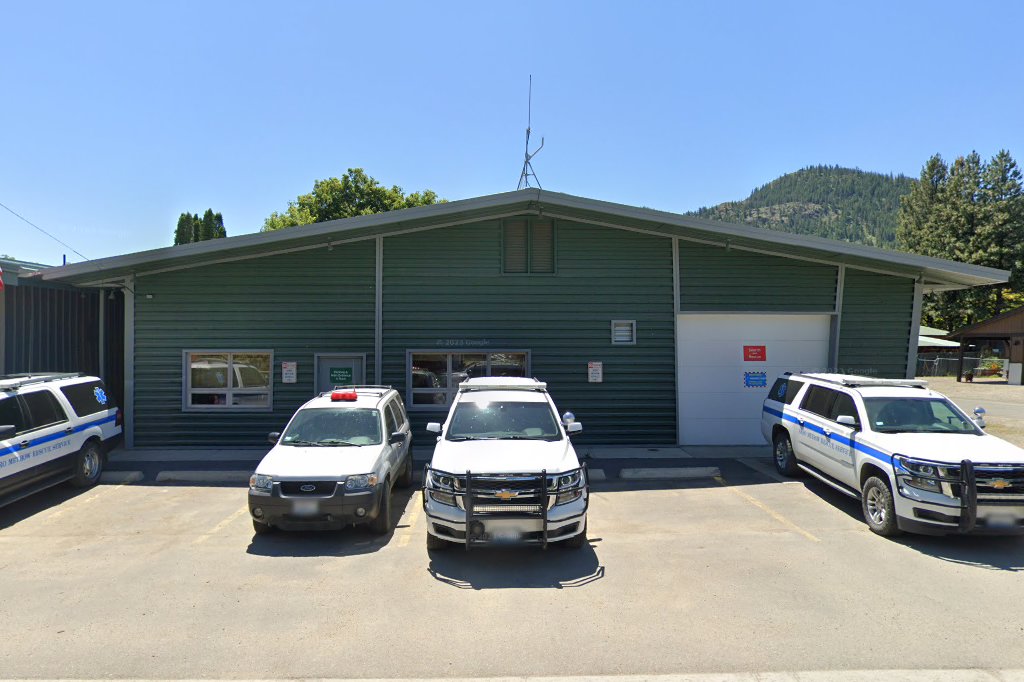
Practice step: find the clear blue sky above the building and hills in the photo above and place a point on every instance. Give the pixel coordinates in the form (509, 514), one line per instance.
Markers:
(118, 117)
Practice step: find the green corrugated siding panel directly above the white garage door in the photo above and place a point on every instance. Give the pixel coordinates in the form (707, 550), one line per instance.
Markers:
(714, 279)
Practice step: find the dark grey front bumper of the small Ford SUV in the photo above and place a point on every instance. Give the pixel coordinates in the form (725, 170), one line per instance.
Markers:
(315, 513)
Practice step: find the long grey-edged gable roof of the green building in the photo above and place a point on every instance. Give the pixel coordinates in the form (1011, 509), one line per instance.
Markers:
(935, 274)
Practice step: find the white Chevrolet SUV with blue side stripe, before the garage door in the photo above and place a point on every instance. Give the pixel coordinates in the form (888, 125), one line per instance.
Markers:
(916, 461)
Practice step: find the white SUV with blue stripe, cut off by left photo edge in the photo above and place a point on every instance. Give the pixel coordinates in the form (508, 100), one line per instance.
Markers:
(54, 429)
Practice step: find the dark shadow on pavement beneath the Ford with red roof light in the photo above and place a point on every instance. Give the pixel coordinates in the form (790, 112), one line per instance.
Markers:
(351, 541)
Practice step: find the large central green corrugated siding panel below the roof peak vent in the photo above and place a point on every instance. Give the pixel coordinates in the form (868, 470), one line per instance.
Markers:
(446, 286)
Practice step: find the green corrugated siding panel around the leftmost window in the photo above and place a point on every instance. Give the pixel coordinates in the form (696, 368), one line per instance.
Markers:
(294, 305)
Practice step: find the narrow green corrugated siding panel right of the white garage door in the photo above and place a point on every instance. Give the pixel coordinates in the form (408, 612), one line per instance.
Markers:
(875, 334)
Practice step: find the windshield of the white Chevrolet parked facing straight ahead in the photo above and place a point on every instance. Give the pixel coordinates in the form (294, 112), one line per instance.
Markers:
(504, 421)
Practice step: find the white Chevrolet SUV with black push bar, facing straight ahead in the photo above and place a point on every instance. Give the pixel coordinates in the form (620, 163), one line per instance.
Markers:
(504, 470)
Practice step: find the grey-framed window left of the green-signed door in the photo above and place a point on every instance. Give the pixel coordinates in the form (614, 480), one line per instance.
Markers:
(229, 380)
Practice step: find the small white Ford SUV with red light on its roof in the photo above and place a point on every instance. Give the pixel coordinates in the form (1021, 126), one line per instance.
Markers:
(335, 464)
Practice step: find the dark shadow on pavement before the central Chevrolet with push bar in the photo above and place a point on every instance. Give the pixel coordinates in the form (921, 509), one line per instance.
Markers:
(496, 569)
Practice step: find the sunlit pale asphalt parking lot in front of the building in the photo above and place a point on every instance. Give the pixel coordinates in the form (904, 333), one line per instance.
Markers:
(737, 574)
